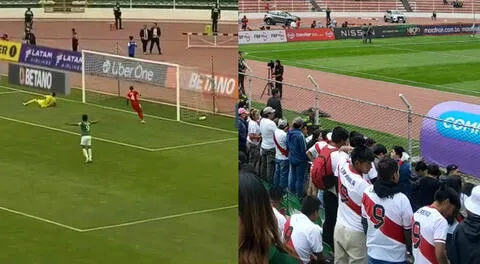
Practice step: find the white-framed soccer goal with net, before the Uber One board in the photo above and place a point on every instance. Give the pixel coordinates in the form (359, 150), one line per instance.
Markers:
(107, 77)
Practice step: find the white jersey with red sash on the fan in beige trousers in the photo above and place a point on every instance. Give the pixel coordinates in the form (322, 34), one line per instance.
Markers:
(351, 187)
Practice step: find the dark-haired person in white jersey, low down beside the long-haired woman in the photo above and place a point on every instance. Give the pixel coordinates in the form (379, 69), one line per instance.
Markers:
(303, 235)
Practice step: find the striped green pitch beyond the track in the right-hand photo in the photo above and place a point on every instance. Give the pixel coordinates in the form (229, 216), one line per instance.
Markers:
(447, 63)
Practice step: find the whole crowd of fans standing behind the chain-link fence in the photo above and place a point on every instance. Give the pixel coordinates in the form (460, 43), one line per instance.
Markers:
(379, 207)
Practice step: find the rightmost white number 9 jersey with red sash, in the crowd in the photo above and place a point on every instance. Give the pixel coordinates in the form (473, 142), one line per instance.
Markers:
(429, 227)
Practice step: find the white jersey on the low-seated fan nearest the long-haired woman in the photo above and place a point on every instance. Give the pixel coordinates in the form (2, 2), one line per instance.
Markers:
(302, 235)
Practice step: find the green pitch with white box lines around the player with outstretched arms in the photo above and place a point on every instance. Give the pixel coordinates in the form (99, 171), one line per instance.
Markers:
(161, 192)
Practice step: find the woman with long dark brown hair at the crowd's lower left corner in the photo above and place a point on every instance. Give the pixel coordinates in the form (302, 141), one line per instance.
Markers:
(259, 240)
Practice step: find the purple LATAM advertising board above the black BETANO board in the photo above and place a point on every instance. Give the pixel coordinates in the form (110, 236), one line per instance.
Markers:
(59, 59)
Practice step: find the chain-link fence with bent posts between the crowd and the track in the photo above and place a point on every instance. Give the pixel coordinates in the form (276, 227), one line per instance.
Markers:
(388, 125)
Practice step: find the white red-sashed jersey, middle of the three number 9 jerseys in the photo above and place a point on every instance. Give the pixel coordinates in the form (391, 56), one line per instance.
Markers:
(387, 219)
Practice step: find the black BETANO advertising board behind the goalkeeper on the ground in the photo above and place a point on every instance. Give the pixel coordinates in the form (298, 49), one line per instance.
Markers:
(39, 78)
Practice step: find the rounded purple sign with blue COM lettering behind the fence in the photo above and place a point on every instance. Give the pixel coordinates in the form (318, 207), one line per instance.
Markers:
(455, 139)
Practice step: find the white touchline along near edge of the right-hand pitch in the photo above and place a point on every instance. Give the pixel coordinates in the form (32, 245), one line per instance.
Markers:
(297, 63)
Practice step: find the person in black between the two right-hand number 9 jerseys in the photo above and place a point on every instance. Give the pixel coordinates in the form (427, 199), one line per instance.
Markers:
(424, 190)
